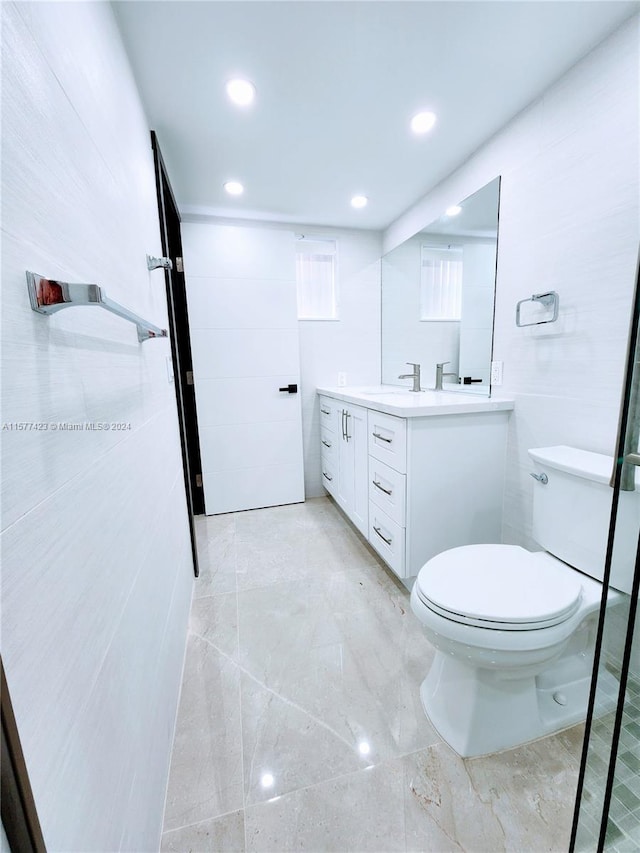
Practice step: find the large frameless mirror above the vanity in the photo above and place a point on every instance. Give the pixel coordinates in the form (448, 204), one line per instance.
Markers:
(438, 291)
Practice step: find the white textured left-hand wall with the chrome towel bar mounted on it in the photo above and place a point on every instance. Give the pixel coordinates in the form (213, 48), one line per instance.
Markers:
(96, 572)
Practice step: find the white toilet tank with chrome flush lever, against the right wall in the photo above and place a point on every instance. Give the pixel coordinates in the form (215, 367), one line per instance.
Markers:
(572, 511)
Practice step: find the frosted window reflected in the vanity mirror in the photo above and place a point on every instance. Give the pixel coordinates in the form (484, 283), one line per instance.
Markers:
(441, 283)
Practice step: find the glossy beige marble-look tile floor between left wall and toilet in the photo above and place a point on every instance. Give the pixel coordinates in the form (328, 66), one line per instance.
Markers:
(300, 725)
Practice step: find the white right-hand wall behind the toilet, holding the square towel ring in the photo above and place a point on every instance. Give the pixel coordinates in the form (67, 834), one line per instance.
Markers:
(568, 222)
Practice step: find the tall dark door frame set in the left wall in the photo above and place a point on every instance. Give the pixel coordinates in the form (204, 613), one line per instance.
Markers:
(180, 343)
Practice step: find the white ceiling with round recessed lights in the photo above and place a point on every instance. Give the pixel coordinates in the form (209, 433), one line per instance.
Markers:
(337, 84)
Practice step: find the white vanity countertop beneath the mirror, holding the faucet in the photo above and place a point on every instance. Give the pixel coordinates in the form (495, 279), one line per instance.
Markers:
(394, 400)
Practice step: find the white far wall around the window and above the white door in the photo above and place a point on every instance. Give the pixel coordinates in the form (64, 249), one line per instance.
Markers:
(350, 344)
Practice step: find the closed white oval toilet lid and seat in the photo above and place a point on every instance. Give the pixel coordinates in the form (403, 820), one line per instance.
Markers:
(499, 586)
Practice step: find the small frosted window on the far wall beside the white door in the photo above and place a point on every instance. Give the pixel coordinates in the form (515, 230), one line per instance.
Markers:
(316, 279)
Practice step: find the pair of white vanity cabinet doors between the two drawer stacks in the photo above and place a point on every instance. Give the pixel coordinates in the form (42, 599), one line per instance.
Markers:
(353, 488)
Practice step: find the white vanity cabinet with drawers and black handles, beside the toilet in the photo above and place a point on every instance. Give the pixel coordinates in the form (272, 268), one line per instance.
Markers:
(418, 484)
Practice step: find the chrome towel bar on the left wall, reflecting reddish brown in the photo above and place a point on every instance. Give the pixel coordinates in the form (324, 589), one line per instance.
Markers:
(48, 296)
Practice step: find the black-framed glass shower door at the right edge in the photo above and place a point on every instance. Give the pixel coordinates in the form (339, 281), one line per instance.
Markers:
(607, 815)
